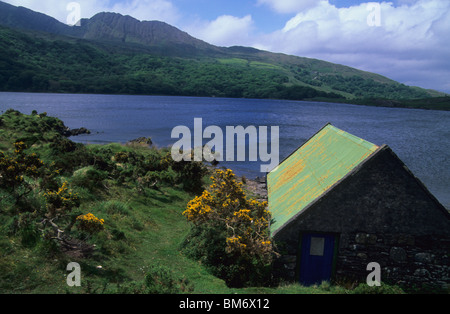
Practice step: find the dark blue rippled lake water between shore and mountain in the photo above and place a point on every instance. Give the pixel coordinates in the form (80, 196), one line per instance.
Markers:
(421, 138)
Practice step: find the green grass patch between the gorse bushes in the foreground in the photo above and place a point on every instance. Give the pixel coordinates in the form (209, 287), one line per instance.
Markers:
(141, 231)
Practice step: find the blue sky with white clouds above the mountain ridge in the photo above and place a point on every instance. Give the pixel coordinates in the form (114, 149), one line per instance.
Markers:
(405, 40)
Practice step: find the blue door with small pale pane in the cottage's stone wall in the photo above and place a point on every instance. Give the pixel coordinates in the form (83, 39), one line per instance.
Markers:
(316, 259)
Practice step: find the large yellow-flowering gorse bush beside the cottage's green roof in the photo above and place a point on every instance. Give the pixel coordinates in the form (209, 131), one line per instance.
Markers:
(230, 232)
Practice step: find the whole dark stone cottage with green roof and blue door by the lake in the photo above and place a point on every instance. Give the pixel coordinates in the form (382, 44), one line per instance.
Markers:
(340, 202)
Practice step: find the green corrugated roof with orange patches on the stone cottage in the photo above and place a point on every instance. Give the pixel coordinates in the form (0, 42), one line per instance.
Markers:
(311, 170)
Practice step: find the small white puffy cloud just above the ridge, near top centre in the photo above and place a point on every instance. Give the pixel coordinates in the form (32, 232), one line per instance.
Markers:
(226, 30)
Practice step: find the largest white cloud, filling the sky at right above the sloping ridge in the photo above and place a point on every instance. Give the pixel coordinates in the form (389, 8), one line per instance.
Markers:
(411, 41)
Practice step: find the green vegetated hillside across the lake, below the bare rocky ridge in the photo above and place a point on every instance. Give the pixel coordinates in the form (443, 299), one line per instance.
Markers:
(48, 63)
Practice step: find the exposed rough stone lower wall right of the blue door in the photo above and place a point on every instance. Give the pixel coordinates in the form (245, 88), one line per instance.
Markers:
(405, 260)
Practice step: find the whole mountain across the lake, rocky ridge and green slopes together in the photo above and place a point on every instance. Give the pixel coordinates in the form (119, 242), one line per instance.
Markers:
(112, 53)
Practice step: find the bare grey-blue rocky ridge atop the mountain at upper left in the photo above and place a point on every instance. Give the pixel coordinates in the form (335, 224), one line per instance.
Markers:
(104, 26)
